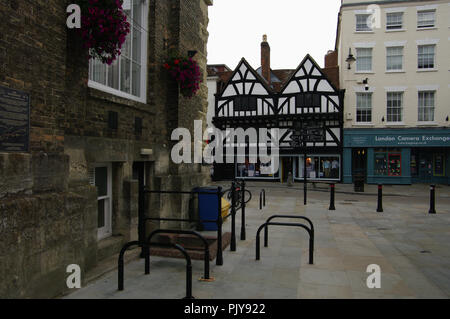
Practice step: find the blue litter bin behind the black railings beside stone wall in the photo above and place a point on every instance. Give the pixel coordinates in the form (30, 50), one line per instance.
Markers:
(208, 206)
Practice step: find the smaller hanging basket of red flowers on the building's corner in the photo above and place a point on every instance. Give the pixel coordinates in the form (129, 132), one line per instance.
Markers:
(187, 73)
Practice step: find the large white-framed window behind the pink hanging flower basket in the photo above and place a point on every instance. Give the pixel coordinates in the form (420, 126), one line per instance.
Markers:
(127, 76)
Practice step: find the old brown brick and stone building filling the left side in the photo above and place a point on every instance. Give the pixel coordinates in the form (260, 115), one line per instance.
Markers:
(70, 194)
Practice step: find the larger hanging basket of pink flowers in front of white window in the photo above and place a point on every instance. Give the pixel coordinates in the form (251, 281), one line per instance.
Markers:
(104, 28)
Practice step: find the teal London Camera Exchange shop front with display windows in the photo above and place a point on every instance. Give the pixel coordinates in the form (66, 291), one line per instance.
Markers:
(397, 156)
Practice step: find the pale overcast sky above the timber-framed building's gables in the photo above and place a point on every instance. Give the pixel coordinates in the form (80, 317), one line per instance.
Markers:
(294, 28)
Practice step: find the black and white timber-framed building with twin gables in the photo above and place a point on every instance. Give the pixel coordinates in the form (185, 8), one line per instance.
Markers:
(307, 103)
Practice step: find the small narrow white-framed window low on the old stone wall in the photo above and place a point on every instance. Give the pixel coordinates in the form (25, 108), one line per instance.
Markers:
(101, 177)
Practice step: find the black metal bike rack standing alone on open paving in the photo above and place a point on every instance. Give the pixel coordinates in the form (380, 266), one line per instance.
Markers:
(310, 231)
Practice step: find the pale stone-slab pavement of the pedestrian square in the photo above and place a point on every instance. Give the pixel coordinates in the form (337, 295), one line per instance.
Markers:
(410, 246)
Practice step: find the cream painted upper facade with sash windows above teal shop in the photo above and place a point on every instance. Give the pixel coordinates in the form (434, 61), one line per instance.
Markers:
(403, 55)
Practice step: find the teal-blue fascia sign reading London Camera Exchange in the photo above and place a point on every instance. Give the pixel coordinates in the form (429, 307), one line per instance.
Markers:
(380, 138)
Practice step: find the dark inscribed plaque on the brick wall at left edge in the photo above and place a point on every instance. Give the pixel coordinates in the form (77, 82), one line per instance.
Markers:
(14, 120)
